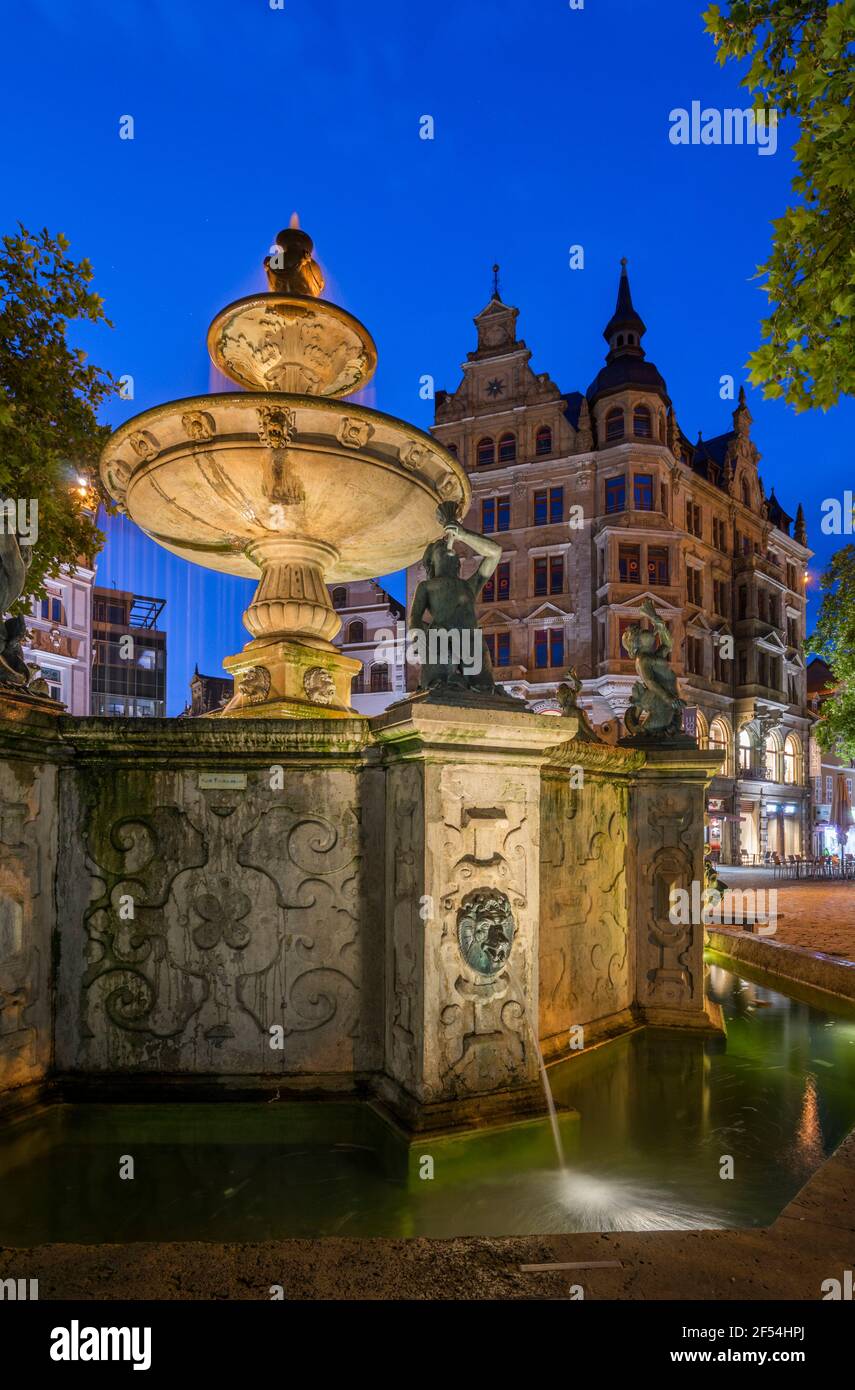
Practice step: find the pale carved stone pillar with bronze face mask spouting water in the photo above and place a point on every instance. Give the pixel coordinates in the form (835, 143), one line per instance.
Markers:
(464, 844)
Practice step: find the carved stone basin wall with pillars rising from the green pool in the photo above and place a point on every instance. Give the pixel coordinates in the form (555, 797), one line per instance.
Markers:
(291, 900)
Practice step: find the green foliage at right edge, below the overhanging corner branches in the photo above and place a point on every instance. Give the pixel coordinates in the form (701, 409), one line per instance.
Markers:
(835, 641)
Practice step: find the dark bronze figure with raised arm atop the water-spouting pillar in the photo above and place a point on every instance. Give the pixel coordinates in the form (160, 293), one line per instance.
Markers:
(454, 651)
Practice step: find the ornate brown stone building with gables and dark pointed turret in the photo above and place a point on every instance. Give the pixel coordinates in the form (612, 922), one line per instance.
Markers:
(600, 502)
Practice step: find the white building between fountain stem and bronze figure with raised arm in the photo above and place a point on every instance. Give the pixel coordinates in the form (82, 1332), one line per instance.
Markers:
(368, 612)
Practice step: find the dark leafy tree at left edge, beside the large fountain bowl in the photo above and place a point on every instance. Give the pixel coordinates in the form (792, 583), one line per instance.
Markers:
(49, 397)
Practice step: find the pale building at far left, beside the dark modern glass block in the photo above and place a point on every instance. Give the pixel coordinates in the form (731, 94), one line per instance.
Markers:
(60, 637)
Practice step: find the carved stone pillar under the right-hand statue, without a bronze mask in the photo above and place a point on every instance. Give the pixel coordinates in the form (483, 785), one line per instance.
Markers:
(667, 854)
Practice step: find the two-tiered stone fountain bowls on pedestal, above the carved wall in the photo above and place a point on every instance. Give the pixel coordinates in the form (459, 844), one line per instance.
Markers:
(286, 482)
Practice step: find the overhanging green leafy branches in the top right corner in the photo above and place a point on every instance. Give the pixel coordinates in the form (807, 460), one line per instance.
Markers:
(801, 66)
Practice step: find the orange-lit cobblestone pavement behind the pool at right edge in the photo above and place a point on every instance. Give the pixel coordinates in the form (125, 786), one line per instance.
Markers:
(818, 915)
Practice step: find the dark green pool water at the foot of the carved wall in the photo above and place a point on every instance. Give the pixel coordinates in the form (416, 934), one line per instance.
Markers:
(647, 1124)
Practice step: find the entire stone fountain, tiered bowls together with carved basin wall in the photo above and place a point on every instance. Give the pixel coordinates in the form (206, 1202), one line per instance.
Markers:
(293, 900)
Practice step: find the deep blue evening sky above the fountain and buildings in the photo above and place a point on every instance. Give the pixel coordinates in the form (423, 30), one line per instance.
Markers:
(551, 130)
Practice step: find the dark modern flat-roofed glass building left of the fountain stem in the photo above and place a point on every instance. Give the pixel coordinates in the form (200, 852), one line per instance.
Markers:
(130, 655)
